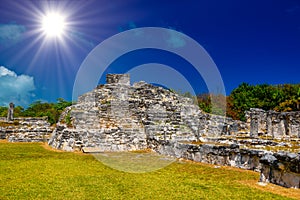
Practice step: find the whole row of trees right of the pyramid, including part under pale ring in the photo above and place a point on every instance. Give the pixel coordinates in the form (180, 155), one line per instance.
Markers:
(283, 98)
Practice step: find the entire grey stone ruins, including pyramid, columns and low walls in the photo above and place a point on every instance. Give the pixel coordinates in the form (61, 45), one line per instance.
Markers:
(119, 117)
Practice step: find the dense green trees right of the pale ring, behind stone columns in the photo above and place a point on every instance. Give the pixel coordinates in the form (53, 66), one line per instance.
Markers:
(268, 97)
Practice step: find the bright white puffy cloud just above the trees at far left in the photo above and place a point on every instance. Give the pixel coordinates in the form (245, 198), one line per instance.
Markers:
(15, 88)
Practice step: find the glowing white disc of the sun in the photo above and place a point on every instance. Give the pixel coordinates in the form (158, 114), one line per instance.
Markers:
(53, 25)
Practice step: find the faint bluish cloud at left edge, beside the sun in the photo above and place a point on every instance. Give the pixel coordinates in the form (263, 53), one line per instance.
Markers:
(10, 33)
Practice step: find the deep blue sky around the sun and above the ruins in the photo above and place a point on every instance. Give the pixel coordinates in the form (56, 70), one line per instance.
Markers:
(255, 41)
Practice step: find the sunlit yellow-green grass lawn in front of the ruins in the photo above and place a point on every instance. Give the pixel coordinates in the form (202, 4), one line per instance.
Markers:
(31, 171)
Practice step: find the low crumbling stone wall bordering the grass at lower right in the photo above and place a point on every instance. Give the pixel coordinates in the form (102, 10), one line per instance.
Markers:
(281, 168)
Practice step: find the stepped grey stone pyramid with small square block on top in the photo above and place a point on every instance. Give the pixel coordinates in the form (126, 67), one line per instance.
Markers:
(117, 116)
